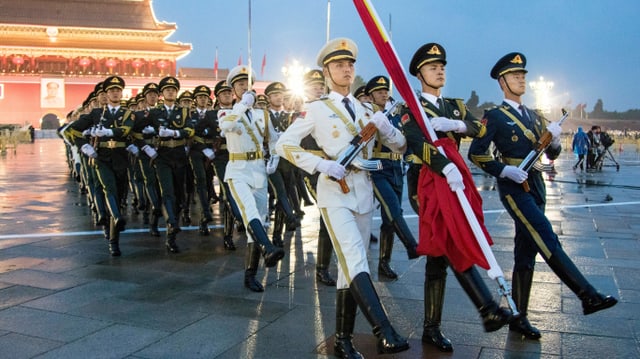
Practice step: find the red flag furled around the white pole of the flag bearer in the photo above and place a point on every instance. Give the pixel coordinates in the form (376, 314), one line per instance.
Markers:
(450, 235)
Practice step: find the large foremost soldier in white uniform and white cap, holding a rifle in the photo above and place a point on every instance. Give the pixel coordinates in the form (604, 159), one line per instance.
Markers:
(333, 122)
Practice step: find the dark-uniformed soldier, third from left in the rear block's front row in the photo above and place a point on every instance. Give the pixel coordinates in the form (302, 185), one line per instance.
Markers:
(201, 151)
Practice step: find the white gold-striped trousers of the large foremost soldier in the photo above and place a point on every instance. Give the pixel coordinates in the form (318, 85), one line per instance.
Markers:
(350, 233)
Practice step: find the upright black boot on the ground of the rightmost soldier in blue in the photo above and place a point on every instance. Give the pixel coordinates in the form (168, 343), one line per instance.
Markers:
(521, 289)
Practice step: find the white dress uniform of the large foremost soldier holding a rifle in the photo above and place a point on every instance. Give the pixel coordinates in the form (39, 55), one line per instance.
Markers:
(348, 216)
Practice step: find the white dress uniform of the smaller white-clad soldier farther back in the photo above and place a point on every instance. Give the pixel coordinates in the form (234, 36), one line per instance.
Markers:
(245, 129)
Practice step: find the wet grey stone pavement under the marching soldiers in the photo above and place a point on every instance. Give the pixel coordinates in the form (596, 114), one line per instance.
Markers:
(63, 296)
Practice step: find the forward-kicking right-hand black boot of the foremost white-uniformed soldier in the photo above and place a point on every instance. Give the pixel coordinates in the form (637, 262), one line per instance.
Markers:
(364, 293)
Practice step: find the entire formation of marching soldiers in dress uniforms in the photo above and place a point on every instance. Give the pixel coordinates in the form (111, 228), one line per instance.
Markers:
(273, 152)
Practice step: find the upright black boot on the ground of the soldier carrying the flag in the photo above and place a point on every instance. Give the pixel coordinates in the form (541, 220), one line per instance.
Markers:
(433, 303)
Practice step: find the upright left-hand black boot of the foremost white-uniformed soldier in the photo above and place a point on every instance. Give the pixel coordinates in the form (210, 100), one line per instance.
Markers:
(346, 308)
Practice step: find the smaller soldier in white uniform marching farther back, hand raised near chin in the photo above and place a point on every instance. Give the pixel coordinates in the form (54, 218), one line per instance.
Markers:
(249, 134)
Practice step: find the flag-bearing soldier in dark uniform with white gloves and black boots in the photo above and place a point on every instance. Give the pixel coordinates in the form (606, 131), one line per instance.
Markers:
(451, 120)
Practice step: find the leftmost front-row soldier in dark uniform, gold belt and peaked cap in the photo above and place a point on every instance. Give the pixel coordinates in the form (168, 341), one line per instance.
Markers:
(109, 152)
